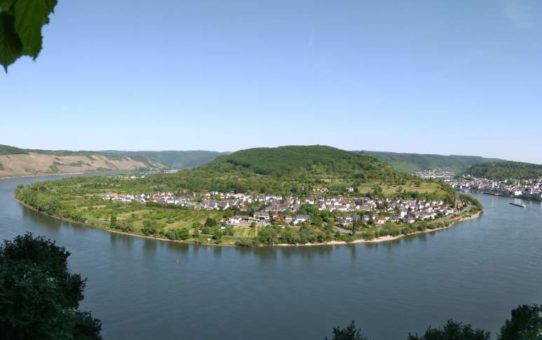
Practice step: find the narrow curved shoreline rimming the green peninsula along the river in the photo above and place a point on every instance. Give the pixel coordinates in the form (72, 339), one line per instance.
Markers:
(280, 245)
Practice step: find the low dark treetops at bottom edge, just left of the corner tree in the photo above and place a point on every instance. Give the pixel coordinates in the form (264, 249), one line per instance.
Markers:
(452, 331)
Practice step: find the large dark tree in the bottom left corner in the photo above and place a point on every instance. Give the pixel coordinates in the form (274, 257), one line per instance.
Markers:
(39, 297)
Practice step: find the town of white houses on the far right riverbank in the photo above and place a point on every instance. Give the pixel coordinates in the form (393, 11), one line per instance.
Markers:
(528, 189)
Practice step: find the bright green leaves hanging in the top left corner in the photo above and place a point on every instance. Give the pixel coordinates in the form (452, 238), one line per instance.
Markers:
(20, 28)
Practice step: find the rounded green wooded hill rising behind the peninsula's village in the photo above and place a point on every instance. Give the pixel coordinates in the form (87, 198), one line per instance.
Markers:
(298, 170)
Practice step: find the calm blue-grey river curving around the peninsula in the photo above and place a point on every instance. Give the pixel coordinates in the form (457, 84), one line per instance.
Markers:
(476, 272)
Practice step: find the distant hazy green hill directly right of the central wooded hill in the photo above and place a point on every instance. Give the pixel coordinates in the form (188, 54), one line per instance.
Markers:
(412, 162)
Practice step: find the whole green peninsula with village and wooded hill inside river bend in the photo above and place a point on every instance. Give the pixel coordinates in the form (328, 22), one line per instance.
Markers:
(263, 196)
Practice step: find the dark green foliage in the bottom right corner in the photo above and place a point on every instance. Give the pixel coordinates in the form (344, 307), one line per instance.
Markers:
(525, 324)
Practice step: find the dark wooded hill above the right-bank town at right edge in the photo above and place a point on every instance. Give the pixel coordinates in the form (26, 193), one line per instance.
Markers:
(506, 170)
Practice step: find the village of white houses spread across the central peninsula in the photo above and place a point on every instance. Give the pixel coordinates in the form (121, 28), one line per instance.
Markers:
(267, 209)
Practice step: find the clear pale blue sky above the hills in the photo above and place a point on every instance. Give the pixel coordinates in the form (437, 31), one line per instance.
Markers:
(447, 77)
